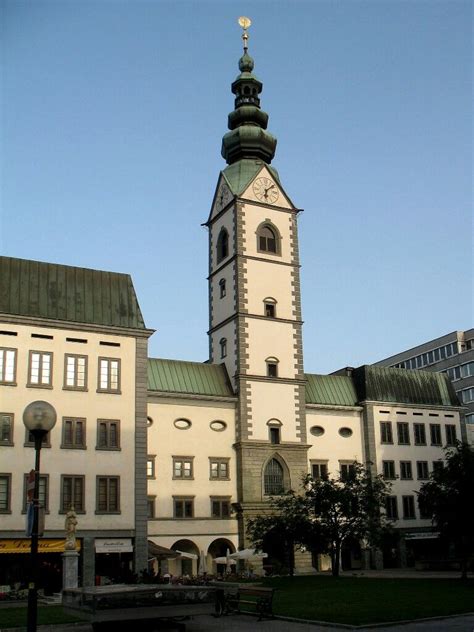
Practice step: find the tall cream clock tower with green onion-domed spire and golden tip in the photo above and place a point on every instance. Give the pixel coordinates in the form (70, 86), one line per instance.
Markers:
(254, 299)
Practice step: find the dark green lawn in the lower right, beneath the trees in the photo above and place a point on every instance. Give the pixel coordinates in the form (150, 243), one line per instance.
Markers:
(359, 601)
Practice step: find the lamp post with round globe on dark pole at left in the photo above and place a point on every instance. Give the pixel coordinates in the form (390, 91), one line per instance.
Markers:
(39, 418)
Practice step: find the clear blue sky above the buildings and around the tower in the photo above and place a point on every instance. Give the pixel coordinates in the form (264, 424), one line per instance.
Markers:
(112, 119)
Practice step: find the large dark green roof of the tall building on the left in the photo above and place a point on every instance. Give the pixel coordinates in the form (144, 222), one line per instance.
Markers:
(49, 290)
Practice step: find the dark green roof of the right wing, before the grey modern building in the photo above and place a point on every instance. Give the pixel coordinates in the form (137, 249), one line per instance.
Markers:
(383, 384)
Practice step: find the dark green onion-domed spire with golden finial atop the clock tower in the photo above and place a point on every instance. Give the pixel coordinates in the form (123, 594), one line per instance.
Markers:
(248, 137)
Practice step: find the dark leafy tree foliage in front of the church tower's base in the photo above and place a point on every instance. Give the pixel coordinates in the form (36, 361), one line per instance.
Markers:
(326, 513)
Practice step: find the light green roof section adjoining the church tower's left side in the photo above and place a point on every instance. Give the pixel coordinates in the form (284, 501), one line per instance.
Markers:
(193, 378)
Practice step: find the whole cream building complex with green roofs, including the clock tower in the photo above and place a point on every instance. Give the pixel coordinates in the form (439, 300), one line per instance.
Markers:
(163, 455)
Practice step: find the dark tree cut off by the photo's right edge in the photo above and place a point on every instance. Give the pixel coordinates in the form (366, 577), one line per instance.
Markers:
(448, 497)
